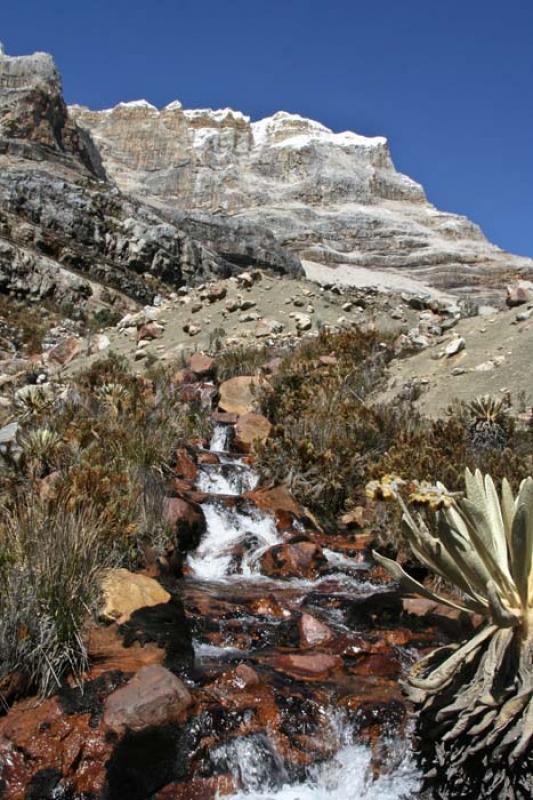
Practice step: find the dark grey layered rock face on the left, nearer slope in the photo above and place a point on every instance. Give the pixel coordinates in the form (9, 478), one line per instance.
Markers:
(66, 230)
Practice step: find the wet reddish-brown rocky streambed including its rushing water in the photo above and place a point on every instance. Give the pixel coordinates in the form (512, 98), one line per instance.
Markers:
(266, 664)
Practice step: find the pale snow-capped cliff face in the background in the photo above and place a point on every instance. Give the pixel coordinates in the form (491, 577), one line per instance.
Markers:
(333, 198)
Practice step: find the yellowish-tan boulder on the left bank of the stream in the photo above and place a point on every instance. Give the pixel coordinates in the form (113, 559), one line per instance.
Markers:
(125, 592)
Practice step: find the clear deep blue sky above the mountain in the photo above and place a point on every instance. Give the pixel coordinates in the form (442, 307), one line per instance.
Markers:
(450, 83)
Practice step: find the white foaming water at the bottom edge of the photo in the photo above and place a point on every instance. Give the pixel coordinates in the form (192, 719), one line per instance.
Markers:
(348, 775)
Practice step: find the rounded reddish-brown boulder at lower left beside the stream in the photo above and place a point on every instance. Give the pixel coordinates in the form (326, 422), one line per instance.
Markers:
(154, 696)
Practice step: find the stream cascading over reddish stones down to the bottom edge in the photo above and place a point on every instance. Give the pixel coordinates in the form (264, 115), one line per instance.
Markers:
(318, 747)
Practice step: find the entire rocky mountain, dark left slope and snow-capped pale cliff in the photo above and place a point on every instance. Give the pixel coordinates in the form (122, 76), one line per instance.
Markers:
(110, 205)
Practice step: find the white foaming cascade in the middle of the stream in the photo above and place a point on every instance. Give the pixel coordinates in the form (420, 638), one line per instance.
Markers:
(227, 528)
